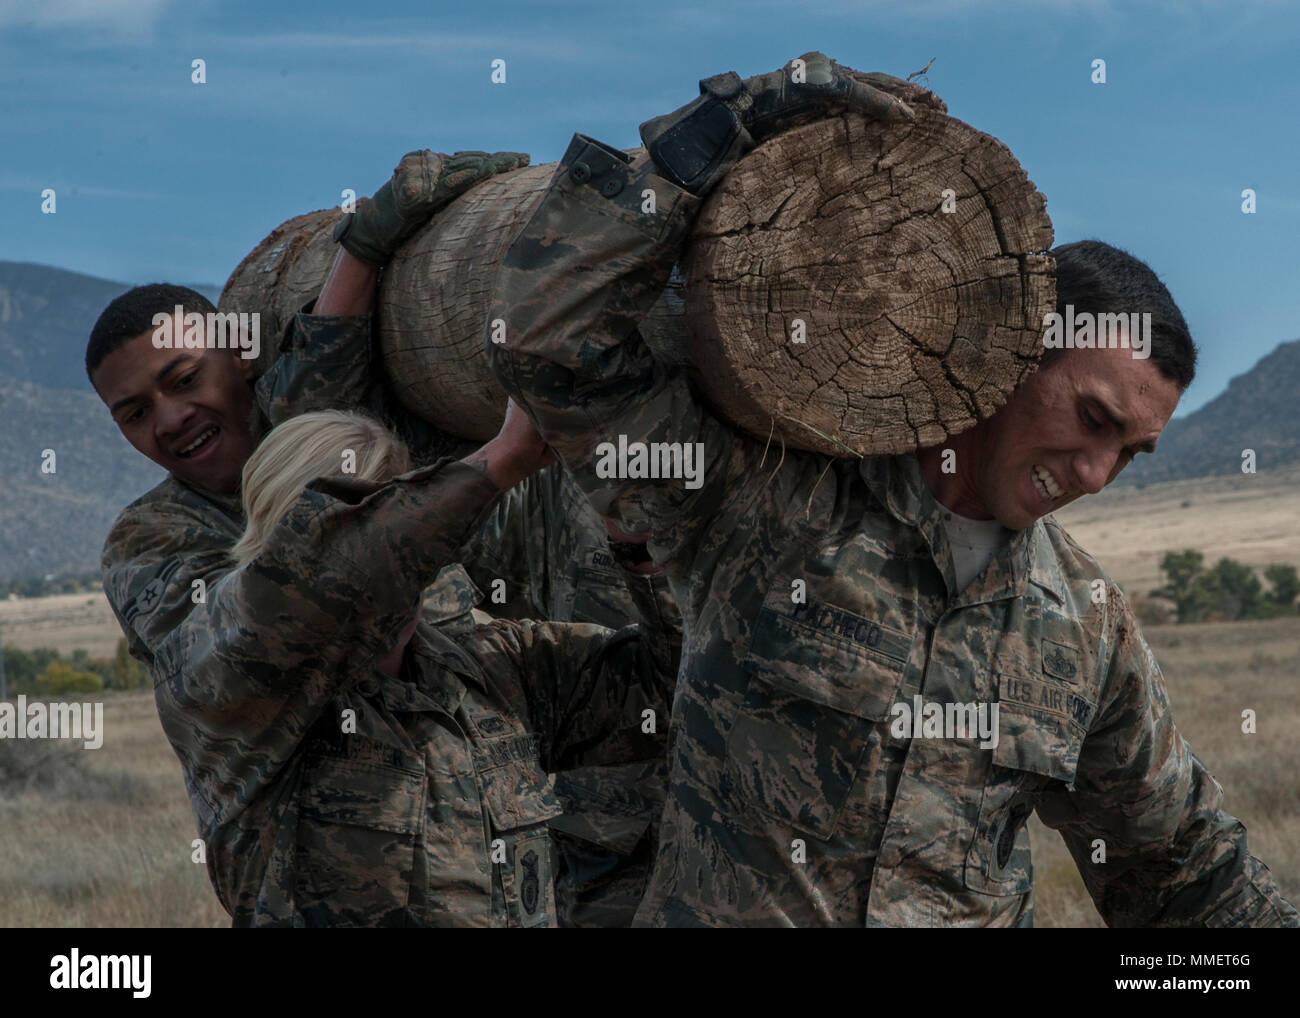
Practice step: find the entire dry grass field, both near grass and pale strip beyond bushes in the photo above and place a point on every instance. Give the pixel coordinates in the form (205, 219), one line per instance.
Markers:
(102, 838)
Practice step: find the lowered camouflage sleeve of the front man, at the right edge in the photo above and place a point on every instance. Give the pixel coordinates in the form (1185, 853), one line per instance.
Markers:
(1173, 857)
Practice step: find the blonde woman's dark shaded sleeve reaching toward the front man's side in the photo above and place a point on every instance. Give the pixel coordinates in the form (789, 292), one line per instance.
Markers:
(595, 696)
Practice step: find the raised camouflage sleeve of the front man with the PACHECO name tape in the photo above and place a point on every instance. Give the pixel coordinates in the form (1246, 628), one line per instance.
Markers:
(586, 268)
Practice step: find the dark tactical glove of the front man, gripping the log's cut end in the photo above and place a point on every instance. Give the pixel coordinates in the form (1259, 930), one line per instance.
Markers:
(696, 146)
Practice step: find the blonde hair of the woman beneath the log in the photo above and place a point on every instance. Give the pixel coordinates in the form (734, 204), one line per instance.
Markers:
(306, 448)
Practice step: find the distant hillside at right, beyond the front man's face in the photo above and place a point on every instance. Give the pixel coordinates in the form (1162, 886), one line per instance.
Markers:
(1259, 410)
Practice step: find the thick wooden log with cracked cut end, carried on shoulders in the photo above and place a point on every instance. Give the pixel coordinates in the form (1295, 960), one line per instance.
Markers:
(917, 322)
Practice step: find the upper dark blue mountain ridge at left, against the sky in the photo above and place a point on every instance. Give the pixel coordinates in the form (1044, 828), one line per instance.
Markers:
(46, 317)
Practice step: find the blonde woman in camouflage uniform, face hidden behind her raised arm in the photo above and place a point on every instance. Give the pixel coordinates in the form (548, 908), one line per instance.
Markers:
(353, 765)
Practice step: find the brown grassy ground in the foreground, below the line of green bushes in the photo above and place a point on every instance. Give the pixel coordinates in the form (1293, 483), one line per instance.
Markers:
(102, 838)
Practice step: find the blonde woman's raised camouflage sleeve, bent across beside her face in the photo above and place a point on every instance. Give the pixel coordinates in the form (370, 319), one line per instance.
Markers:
(337, 582)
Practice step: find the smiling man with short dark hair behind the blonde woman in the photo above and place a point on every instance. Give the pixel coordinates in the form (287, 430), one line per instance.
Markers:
(201, 413)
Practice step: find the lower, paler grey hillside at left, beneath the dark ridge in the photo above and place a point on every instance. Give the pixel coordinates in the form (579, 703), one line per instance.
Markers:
(57, 523)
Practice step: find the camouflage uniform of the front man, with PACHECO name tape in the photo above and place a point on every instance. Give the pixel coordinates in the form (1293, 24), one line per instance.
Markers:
(818, 594)
